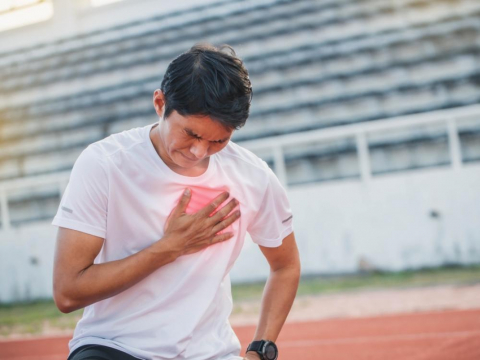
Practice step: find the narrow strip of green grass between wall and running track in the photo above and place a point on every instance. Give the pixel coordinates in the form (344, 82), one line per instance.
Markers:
(36, 317)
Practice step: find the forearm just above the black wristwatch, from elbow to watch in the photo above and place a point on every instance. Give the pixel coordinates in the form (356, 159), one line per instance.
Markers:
(277, 300)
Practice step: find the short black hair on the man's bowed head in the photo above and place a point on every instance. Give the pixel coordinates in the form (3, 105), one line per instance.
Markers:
(210, 81)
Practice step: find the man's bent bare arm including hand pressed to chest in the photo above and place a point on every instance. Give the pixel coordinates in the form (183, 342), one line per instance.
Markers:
(78, 282)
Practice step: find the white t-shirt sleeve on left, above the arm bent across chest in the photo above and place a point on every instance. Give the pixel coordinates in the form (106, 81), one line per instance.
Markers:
(83, 206)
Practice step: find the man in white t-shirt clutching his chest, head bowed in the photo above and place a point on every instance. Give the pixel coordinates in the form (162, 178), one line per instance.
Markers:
(150, 226)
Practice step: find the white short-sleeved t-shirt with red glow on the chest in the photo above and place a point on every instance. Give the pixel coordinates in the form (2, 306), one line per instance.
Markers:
(122, 191)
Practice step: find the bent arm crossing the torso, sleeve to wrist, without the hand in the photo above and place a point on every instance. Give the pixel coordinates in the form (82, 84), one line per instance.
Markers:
(78, 282)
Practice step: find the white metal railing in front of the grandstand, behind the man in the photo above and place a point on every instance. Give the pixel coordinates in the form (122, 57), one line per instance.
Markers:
(275, 146)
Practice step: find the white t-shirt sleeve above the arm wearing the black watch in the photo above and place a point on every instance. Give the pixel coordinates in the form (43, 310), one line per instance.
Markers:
(274, 220)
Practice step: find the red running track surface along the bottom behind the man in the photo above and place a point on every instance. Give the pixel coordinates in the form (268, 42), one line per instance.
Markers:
(449, 335)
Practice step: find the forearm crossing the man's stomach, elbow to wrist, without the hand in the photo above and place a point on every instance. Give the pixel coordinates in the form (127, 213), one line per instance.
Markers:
(101, 281)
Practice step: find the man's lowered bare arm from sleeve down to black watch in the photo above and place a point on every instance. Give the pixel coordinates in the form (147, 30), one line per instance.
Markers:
(280, 289)
